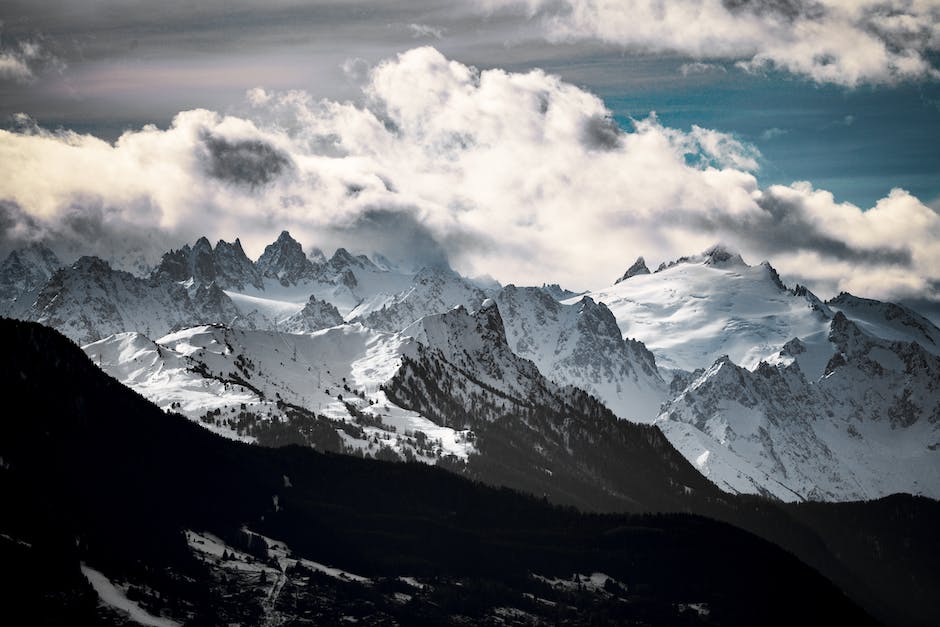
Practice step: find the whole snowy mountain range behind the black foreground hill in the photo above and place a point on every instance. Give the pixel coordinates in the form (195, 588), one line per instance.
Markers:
(671, 390)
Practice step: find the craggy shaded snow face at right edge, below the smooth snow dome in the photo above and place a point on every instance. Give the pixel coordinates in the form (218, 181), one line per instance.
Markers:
(870, 426)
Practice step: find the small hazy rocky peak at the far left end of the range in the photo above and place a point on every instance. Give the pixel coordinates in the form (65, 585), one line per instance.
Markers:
(22, 275)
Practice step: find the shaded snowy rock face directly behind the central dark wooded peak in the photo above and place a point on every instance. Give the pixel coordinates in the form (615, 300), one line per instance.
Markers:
(579, 344)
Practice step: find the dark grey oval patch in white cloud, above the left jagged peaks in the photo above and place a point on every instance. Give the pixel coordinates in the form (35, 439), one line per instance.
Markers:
(249, 162)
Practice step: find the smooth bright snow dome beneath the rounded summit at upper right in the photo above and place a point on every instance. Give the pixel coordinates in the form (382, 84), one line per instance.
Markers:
(693, 311)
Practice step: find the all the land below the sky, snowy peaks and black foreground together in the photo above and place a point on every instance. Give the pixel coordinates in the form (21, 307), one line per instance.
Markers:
(707, 389)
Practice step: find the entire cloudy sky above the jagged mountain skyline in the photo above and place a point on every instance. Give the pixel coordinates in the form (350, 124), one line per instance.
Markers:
(516, 139)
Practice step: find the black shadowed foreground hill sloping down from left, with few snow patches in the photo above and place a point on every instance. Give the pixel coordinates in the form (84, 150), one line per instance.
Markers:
(93, 474)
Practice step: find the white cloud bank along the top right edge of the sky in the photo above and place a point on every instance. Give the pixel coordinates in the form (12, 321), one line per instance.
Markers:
(846, 42)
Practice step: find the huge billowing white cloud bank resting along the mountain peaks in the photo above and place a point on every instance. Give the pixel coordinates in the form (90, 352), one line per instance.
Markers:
(517, 175)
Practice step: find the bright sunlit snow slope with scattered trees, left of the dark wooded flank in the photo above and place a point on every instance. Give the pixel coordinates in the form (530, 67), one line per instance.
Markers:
(232, 381)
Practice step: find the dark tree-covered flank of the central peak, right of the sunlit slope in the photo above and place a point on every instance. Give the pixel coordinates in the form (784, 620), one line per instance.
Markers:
(531, 433)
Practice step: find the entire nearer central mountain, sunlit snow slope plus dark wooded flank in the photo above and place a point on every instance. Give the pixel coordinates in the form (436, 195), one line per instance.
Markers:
(434, 393)
